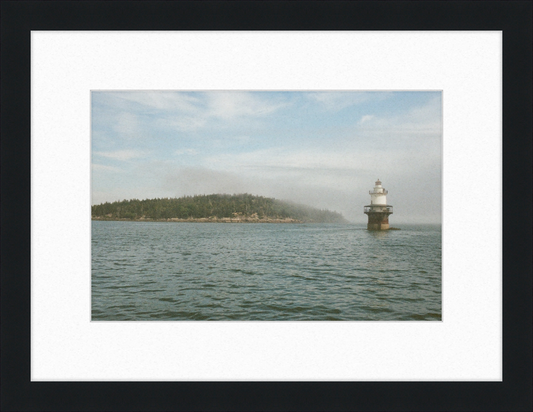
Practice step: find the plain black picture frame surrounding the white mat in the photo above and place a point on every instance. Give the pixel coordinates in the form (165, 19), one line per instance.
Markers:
(19, 18)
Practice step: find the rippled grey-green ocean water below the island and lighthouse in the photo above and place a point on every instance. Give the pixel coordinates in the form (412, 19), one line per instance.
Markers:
(217, 271)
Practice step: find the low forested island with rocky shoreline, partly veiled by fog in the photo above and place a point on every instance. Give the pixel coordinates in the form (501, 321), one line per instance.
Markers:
(224, 208)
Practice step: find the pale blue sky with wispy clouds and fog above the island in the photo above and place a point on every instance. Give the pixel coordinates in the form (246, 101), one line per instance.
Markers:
(319, 148)
